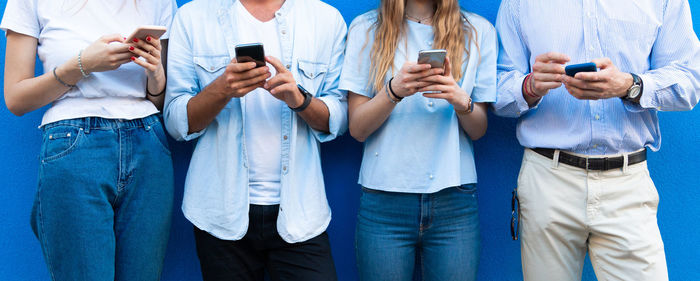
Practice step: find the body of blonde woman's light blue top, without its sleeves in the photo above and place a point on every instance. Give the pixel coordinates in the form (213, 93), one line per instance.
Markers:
(421, 144)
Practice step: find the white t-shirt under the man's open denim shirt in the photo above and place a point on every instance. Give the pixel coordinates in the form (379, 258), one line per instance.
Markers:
(263, 115)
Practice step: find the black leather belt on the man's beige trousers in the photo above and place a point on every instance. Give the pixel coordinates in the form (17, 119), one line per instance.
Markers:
(595, 164)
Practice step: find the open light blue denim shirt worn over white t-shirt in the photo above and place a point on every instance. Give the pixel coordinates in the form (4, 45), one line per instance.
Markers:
(312, 37)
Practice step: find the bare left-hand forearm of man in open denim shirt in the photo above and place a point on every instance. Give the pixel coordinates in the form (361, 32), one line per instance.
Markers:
(203, 108)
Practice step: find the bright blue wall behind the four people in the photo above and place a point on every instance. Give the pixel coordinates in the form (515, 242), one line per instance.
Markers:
(675, 169)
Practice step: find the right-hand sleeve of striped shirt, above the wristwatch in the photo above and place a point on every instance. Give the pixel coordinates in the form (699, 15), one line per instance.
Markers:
(673, 83)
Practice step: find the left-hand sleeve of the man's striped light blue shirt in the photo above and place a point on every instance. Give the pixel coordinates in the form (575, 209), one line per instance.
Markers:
(513, 62)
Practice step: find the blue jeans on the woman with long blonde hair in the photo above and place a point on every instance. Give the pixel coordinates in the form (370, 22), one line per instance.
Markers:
(440, 229)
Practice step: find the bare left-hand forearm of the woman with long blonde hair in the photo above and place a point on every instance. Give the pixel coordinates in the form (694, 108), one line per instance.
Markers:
(367, 117)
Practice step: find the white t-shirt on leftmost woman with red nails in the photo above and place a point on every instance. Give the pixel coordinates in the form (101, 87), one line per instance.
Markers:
(64, 27)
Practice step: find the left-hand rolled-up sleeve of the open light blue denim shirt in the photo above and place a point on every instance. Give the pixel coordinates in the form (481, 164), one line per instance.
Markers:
(182, 81)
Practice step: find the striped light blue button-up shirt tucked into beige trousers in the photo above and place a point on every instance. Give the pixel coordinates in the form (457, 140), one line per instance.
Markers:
(651, 38)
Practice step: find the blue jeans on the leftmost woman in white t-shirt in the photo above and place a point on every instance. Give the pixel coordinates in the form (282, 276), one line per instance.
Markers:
(104, 201)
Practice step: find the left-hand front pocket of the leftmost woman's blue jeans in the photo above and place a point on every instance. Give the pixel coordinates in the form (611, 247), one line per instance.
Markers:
(60, 141)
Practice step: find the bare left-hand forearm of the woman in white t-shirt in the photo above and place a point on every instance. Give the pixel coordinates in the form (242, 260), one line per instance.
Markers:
(33, 93)
